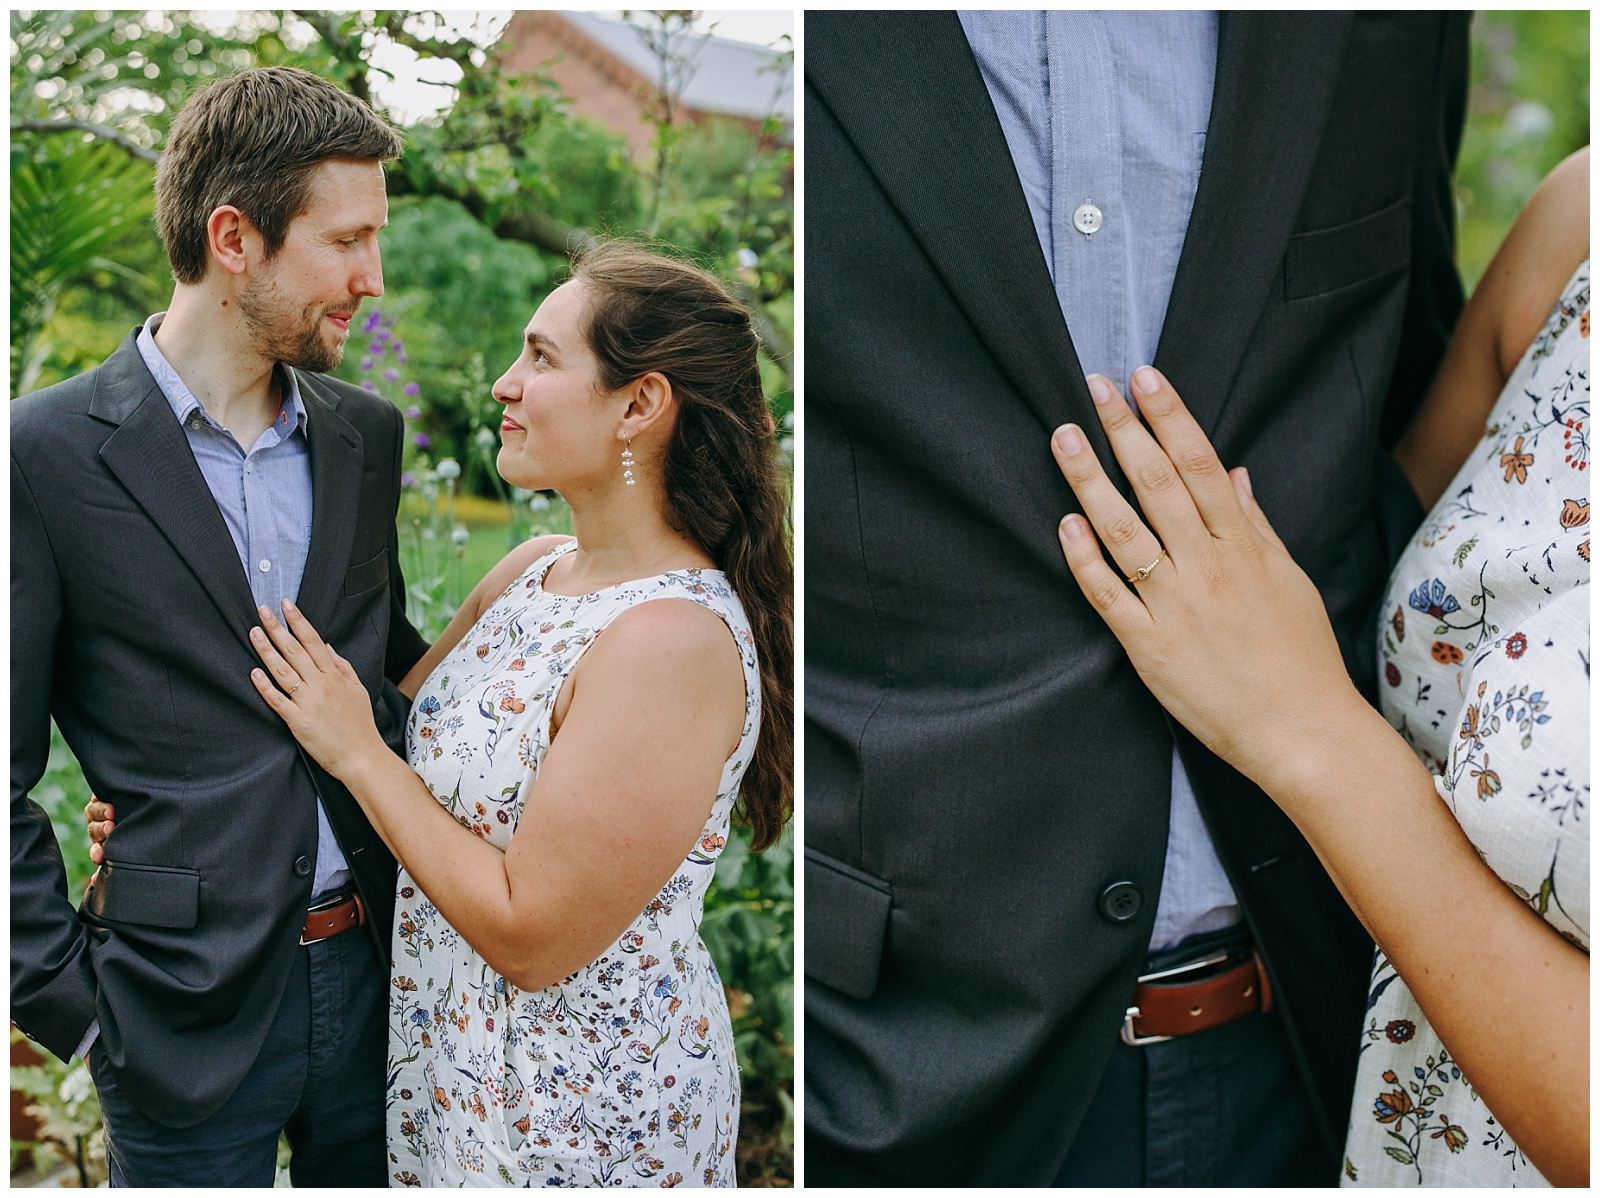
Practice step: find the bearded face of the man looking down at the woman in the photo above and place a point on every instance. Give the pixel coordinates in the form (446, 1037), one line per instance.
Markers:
(298, 306)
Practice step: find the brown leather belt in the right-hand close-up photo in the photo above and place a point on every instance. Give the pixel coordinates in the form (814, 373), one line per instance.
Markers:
(1218, 991)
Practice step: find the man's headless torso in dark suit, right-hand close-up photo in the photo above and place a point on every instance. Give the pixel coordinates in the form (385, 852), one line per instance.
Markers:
(1020, 900)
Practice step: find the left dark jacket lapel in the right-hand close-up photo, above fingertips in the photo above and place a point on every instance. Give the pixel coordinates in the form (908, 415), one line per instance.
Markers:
(908, 94)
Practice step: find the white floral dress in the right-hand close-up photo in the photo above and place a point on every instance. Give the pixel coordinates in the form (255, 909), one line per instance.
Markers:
(1486, 673)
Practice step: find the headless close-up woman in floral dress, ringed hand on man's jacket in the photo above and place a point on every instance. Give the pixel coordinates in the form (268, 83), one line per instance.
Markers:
(1479, 904)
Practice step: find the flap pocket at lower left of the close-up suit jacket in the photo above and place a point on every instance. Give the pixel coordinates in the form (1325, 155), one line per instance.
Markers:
(847, 917)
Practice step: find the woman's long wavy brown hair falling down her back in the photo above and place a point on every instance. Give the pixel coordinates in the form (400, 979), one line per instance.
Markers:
(649, 313)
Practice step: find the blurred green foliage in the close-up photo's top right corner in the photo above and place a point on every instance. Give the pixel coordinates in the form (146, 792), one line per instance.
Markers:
(1529, 111)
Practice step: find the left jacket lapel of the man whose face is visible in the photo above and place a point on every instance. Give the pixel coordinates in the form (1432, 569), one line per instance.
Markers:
(151, 458)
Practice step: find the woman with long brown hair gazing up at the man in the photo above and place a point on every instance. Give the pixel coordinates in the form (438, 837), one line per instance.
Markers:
(578, 738)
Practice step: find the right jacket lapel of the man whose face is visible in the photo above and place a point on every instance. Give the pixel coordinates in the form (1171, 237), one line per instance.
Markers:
(335, 498)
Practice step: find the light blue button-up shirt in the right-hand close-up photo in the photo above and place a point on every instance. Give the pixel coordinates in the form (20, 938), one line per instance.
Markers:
(1105, 116)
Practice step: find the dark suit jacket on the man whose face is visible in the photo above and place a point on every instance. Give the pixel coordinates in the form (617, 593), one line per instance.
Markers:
(130, 620)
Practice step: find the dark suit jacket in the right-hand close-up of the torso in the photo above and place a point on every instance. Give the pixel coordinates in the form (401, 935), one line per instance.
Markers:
(982, 759)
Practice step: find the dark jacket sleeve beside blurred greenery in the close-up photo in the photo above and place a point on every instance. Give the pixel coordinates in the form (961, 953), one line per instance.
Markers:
(1436, 300)
